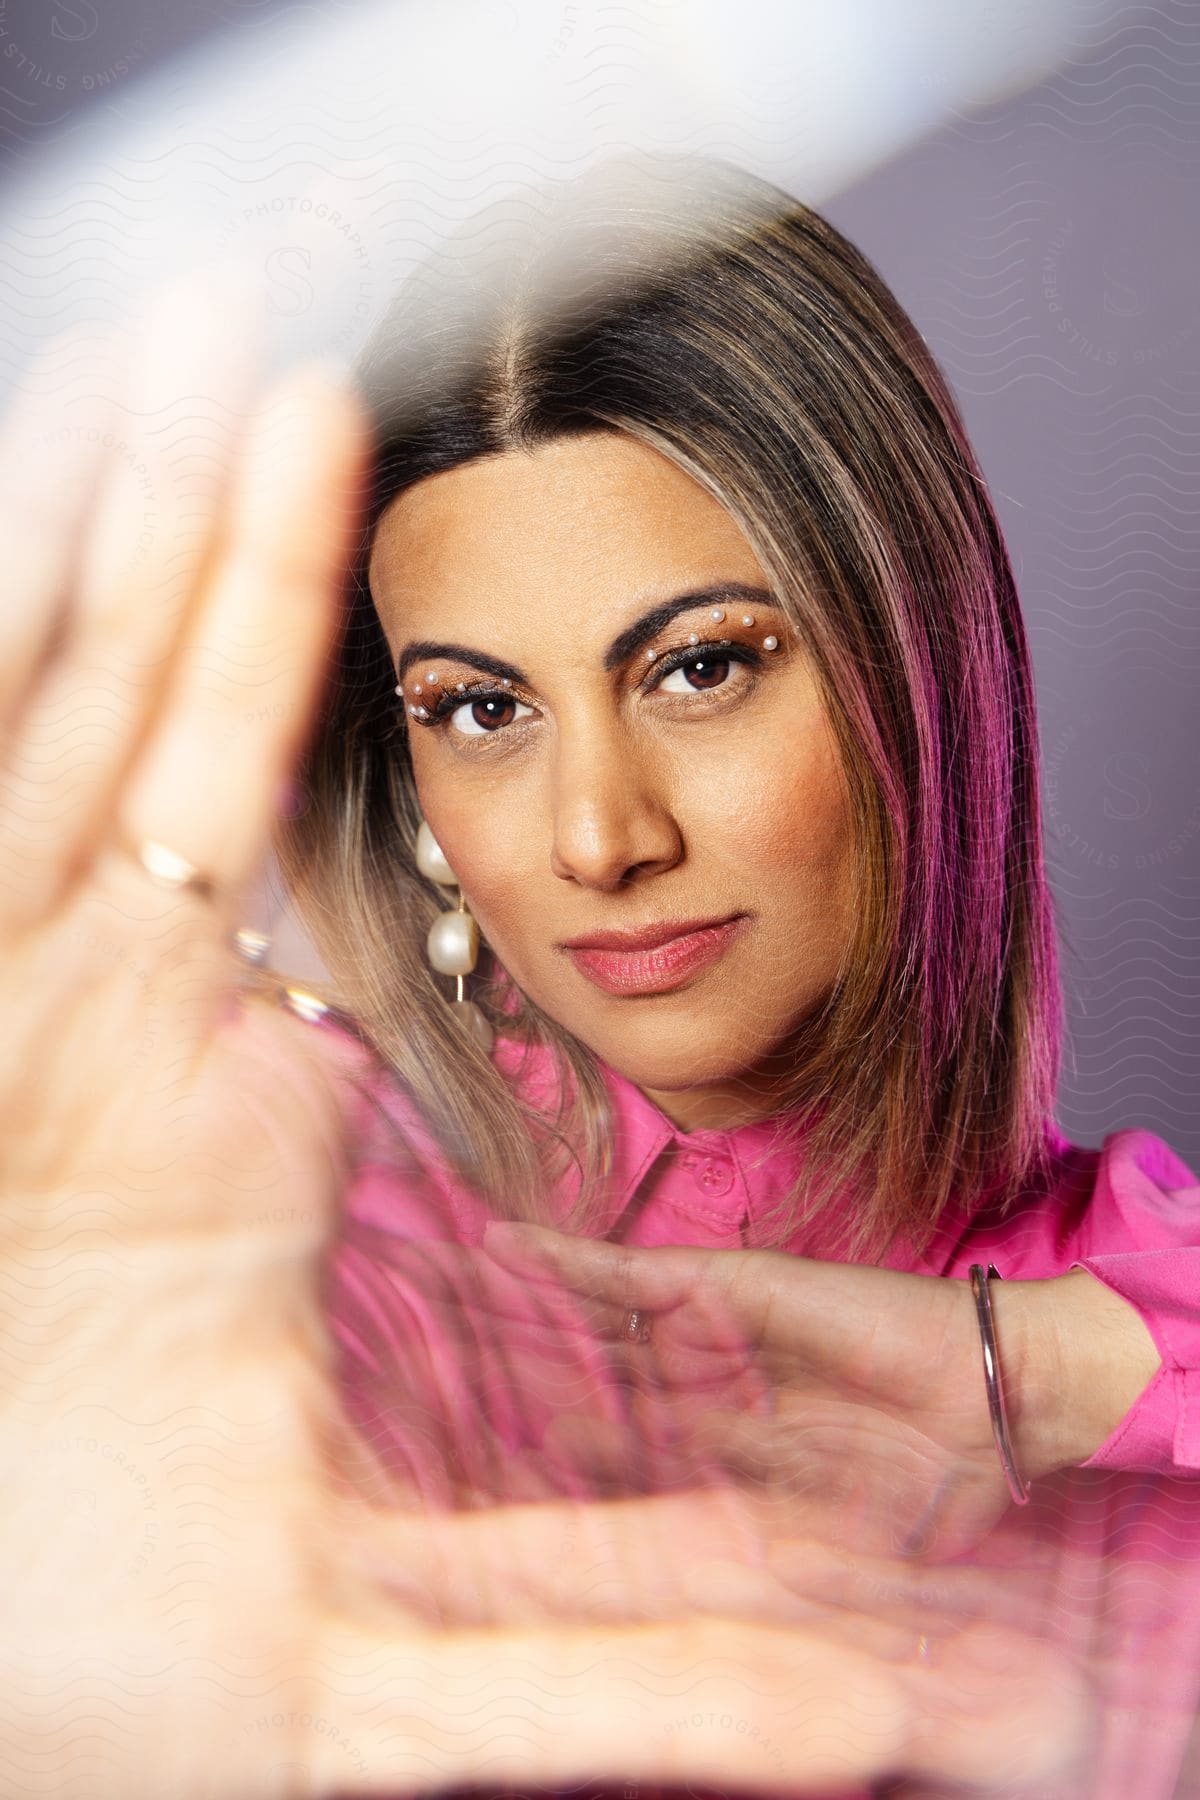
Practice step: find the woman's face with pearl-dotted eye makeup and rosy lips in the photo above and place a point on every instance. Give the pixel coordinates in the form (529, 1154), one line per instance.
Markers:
(584, 777)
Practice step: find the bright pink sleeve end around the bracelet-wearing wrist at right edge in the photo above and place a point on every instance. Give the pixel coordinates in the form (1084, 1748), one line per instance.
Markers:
(1145, 1212)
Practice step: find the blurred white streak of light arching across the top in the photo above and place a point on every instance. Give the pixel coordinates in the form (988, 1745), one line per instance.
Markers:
(330, 156)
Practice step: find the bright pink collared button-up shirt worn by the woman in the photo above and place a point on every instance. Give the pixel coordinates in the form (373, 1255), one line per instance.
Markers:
(1125, 1525)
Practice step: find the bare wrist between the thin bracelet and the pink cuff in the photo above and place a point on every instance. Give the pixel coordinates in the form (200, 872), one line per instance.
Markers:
(1075, 1358)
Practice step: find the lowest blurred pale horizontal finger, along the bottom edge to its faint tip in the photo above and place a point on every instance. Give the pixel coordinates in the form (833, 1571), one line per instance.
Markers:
(695, 1700)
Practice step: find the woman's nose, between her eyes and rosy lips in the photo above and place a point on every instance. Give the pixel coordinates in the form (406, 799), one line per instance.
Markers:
(613, 818)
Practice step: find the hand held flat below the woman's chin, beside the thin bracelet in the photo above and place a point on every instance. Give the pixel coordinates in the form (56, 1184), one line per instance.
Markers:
(852, 1390)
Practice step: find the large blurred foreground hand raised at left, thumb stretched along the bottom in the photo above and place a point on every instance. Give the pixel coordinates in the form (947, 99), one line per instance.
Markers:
(192, 1579)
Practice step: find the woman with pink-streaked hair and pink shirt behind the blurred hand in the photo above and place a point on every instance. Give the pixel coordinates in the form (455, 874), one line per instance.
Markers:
(685, 654)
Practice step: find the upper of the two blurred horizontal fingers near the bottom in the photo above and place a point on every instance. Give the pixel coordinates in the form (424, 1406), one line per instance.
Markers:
(708, 1551)
